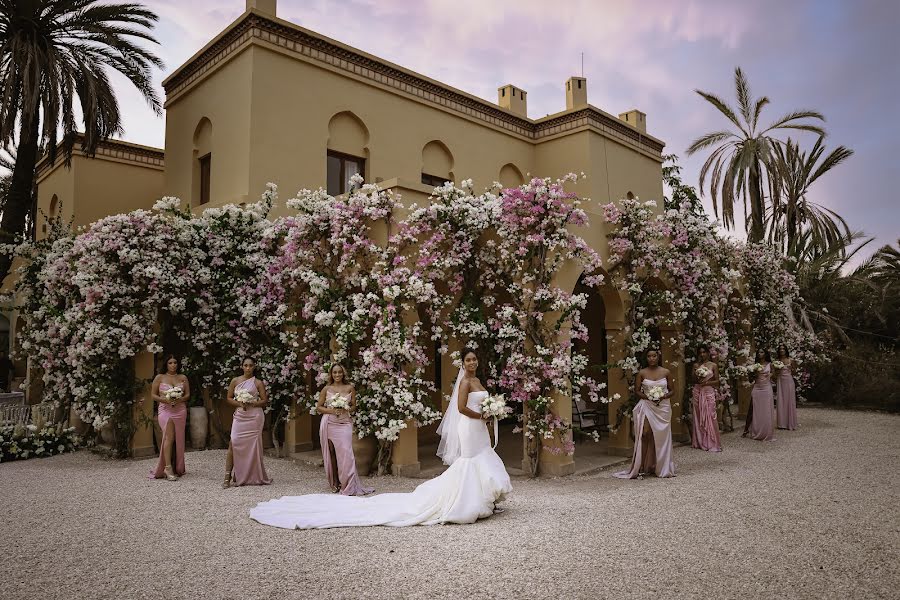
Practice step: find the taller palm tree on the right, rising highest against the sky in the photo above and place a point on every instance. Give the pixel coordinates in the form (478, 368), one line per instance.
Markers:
(737, 165)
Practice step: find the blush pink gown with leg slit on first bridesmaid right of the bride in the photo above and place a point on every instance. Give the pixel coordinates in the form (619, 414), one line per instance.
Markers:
(658, 459)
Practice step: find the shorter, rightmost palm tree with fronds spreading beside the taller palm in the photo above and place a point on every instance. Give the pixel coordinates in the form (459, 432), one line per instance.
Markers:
(790, 211)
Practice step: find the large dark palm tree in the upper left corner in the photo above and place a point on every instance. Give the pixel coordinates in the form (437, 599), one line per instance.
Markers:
(53, 52)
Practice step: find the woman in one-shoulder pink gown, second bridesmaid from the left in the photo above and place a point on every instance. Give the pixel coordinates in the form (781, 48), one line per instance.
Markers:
(244, 460)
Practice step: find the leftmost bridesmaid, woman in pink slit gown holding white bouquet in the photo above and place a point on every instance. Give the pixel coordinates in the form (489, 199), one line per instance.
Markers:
(172, 415)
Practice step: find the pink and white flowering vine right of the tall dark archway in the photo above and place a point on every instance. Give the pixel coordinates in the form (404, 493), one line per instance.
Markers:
(685, 281)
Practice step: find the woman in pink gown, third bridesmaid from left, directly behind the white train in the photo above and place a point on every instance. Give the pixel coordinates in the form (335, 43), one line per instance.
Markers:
(336, 435)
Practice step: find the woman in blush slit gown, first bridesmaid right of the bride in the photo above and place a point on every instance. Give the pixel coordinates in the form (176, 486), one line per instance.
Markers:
(652, 423)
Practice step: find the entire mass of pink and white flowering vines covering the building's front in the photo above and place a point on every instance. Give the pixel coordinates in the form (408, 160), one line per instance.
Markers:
(385, 290)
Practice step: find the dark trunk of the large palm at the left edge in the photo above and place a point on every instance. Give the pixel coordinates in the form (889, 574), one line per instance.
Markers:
(20, 198)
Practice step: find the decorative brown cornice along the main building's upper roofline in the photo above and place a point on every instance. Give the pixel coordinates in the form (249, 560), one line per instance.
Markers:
(311, 46)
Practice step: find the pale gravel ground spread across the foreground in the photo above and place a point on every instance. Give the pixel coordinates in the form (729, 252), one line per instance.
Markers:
(811, 515)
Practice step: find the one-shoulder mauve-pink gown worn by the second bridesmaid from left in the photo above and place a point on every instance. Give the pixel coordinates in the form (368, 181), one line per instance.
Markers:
(246, 441)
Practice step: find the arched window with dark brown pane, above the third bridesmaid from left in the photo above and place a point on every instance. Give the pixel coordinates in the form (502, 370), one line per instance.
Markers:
(348, 139)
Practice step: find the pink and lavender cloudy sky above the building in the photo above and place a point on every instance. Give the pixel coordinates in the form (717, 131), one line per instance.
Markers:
(837, 57)
